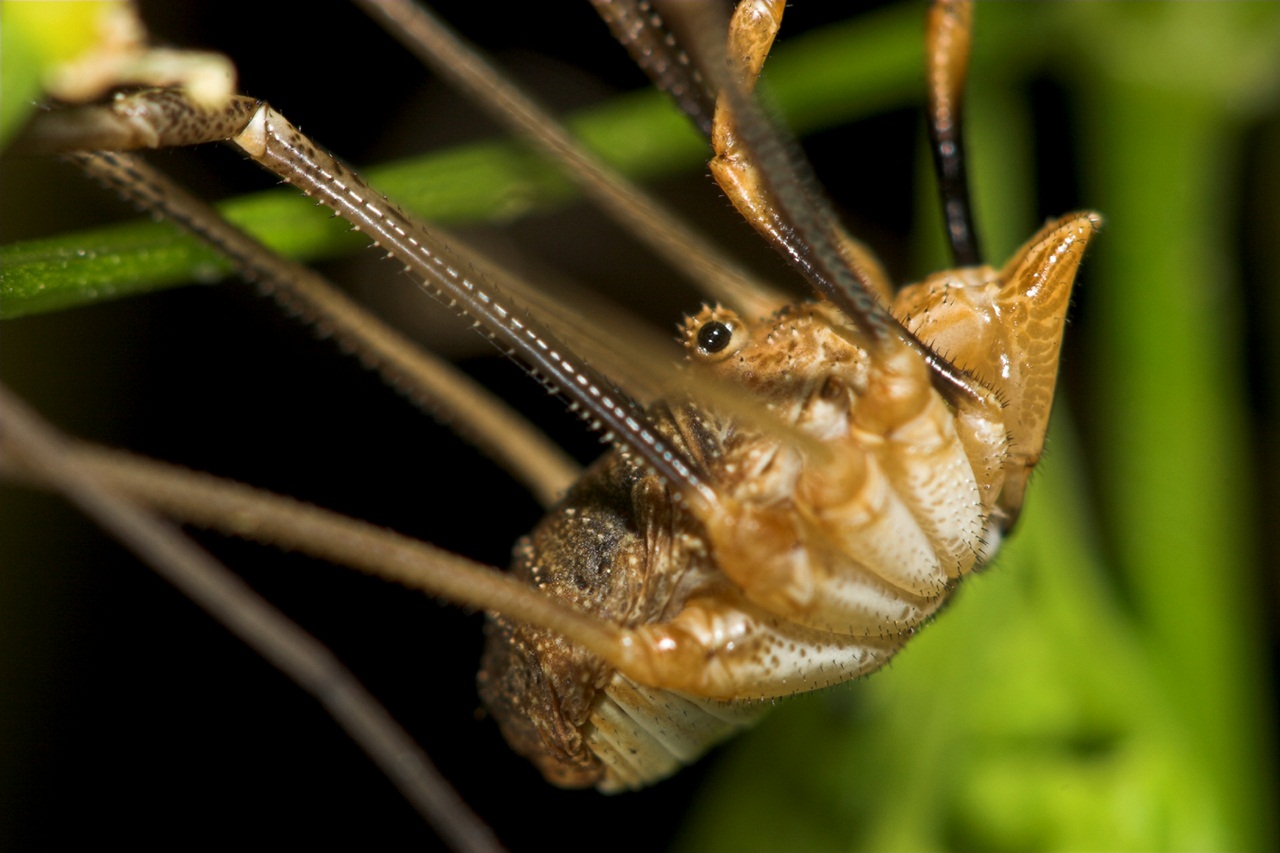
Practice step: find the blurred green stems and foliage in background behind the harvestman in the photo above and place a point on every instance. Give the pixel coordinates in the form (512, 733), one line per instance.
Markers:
(1108, 685)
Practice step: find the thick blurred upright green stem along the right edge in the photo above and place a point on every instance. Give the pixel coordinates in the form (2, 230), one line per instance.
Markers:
(1168, 335)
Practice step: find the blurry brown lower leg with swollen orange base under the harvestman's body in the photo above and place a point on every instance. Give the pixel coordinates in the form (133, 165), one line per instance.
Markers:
(680, 654)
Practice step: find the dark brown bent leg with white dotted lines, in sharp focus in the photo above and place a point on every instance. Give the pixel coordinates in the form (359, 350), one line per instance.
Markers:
(167, 118)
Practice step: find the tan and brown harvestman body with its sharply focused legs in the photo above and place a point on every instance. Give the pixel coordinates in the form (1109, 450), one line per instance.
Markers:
(734, 553)
